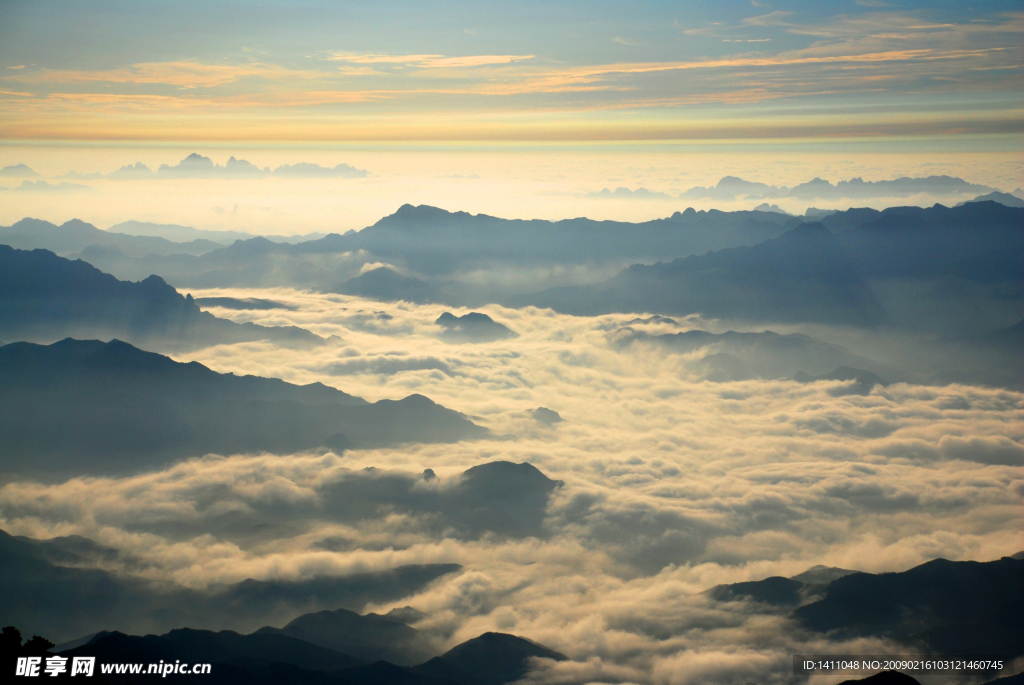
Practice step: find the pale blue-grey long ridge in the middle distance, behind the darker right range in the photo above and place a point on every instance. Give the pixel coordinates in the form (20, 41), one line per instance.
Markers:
(435, 242)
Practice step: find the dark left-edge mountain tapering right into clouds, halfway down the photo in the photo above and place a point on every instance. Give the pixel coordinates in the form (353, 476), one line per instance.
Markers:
(89, 407)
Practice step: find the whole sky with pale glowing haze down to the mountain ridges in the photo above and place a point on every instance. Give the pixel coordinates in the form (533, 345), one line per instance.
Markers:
(516, 109)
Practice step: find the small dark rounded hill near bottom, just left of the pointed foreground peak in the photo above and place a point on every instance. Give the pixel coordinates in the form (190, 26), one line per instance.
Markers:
(371, 637)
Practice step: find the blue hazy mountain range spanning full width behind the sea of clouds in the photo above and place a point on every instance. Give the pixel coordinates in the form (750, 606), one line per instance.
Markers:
(936, 270)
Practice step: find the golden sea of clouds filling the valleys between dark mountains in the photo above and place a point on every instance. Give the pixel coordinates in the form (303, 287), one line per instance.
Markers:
(671, 486)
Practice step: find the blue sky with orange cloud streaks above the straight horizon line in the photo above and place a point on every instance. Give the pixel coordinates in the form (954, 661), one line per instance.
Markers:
(297, 72)
